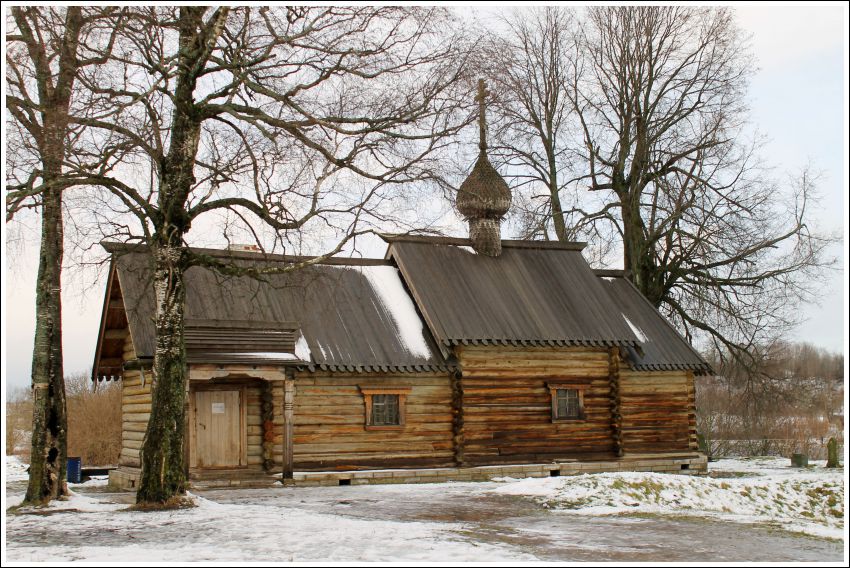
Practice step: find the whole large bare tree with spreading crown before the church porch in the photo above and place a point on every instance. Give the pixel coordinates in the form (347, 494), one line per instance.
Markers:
(276, 118)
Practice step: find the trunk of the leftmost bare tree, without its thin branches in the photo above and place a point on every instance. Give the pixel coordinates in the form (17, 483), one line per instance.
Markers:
(49, 423)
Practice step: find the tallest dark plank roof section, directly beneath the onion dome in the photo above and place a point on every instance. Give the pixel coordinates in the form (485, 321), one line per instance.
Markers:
(532, 294)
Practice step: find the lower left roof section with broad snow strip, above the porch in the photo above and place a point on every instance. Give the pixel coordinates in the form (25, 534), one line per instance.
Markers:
(346, 316)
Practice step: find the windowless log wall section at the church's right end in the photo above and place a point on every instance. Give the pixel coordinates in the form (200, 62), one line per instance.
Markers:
(658, 411)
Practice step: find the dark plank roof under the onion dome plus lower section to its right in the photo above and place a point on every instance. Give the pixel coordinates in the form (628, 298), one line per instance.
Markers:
(535, 293)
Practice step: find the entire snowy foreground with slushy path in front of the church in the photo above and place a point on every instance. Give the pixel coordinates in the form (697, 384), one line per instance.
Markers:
(566, 518)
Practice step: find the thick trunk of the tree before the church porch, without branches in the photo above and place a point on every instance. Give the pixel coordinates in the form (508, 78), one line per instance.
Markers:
(162, 457)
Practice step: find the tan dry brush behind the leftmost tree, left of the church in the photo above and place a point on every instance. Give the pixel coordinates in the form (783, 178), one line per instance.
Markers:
(94, 421)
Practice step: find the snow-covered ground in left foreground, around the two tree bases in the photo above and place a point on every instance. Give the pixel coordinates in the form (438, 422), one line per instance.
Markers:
(230, 532)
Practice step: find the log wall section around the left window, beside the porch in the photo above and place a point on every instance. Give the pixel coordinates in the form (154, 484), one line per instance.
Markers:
(330, 418)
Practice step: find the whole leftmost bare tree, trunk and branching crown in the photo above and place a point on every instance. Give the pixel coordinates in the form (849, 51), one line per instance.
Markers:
(46, 50)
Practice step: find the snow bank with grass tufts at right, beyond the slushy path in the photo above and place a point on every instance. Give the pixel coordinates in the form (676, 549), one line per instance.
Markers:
(758, 490)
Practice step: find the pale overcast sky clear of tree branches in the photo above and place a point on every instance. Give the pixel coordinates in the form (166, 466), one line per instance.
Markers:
(797, 99)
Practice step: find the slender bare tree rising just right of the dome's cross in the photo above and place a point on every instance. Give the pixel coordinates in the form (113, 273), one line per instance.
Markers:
(529, 67)
